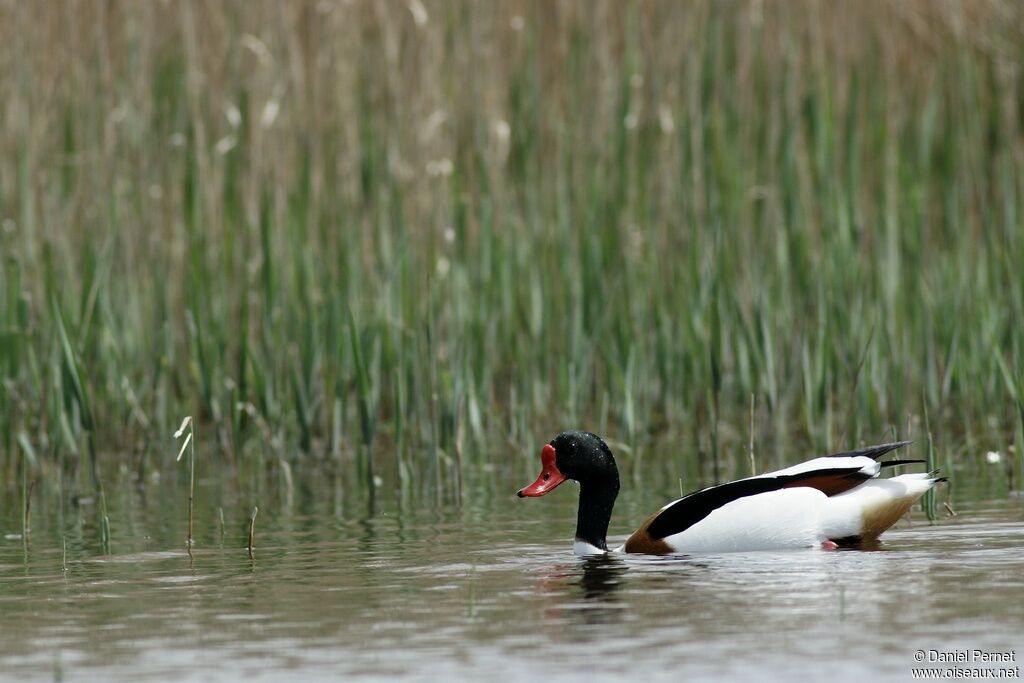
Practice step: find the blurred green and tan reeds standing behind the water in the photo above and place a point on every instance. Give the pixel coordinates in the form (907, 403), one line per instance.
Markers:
(409, 242)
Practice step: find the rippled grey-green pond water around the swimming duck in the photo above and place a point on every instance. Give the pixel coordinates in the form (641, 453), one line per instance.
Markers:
(492, 591)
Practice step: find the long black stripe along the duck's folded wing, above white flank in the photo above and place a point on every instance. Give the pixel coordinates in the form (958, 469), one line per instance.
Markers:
(691, 509)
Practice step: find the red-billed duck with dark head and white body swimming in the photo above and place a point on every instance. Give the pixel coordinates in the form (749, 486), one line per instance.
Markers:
(828, 502)
